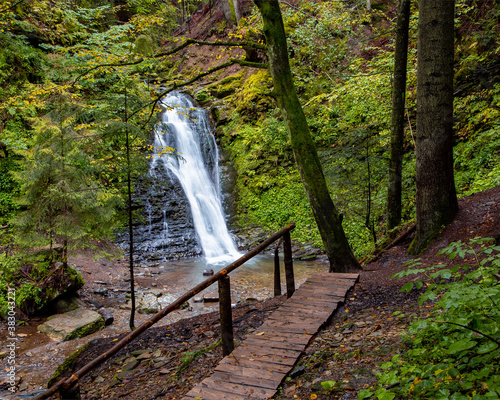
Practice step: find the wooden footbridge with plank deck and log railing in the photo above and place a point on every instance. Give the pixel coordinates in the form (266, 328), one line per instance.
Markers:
(257, 367)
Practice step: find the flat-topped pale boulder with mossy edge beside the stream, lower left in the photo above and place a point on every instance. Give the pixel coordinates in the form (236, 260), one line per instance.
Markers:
(73, 324)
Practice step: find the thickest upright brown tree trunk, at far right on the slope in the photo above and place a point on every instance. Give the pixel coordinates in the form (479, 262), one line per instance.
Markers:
(436, 201)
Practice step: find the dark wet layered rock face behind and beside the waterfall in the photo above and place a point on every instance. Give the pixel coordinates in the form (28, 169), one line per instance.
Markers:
(165, 229)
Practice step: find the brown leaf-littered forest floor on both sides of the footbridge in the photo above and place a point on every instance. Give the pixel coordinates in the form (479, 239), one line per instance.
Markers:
(367, 331)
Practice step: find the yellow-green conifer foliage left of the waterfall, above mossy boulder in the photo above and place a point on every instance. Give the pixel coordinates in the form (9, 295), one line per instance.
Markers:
(62, 200)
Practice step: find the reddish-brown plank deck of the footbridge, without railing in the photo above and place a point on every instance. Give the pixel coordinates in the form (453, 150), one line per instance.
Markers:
(256, 368)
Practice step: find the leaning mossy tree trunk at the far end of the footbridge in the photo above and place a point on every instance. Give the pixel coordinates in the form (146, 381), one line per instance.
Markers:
(327, 218)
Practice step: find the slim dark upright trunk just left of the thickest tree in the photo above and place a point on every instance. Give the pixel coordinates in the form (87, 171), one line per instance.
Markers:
(398, 114)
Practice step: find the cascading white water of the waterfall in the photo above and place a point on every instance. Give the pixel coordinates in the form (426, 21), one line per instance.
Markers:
(186, 128)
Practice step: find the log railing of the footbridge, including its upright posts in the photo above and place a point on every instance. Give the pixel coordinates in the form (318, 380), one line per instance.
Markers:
(68, 388)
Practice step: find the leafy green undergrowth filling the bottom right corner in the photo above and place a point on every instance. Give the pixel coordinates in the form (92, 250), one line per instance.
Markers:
(454, 352)
